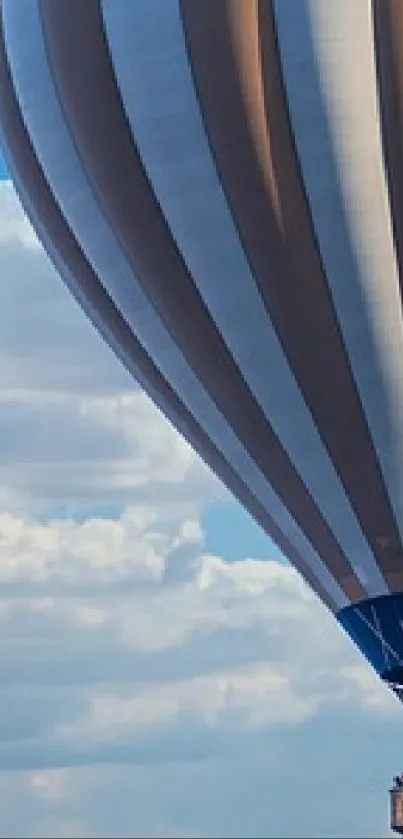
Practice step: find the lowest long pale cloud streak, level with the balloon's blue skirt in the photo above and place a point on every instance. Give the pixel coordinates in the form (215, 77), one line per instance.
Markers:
(253, 697)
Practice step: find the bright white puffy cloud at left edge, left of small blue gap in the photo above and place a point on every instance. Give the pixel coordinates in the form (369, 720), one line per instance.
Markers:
(133, 546)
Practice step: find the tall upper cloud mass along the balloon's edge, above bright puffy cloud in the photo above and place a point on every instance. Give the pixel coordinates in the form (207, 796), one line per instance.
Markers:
(75, 431)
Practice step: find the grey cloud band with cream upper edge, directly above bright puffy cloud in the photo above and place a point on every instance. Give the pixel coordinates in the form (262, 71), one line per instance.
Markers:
(69, 450)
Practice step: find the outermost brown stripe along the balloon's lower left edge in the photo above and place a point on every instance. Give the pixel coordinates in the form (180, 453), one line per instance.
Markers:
(59, 233)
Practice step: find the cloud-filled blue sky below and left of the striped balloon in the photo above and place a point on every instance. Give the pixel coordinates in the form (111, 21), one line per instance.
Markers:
(163, 671)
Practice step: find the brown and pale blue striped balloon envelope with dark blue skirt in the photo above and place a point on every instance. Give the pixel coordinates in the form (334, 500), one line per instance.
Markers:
(220, 185)
